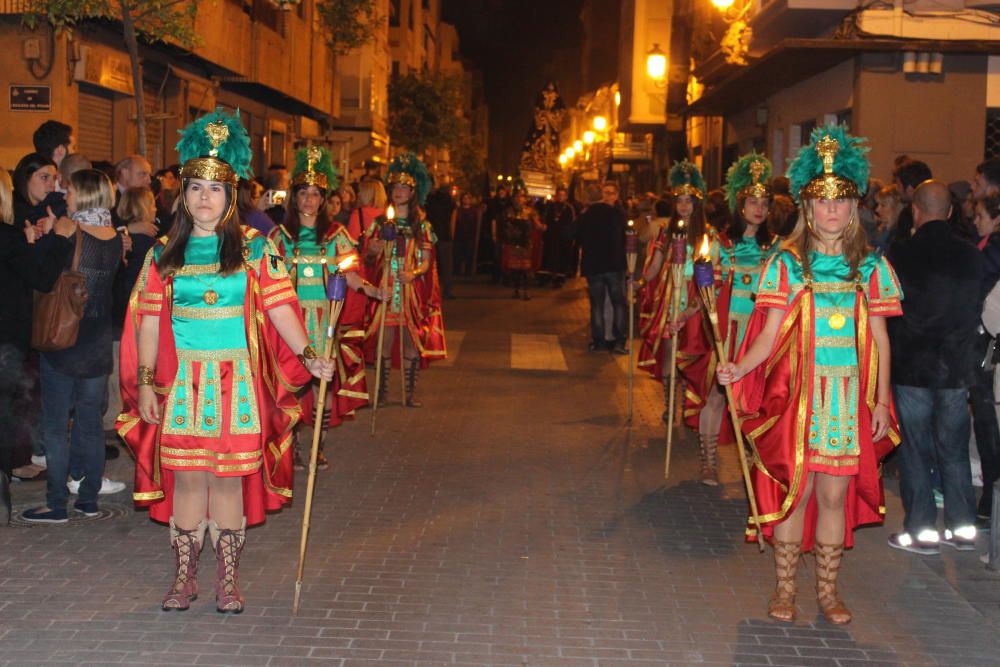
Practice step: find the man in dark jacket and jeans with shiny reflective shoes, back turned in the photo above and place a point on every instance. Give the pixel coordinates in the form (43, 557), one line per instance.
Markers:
(934, 357)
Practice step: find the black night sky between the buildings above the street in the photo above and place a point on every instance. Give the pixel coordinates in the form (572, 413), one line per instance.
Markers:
(518, 45)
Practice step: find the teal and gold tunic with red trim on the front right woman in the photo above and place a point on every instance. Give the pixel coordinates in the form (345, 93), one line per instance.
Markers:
(834, 445)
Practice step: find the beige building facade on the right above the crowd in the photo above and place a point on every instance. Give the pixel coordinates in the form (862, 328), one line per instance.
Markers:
(921, 83)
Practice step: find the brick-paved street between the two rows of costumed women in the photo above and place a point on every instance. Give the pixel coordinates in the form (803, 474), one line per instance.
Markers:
(515, 520)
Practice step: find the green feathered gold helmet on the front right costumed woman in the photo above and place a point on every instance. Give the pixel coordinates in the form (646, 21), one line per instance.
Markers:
(833, 166)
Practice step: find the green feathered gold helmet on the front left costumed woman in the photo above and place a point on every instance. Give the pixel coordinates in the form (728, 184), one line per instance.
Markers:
(216, 147)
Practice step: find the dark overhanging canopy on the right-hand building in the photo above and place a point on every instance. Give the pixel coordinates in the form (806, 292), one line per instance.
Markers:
(794, 60)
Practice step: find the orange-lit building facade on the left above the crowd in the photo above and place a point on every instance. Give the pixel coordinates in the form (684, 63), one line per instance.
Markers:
(274, 66)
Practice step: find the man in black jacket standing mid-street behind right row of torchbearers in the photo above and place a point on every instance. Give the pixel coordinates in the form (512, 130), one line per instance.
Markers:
(601, 235)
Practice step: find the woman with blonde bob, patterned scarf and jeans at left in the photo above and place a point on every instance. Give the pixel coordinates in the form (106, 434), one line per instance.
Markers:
(73, 378)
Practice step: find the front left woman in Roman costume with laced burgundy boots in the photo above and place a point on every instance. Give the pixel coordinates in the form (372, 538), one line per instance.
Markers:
(211, 357)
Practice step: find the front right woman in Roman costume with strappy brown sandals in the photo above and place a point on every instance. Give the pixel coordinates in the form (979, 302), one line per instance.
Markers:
(812, 376)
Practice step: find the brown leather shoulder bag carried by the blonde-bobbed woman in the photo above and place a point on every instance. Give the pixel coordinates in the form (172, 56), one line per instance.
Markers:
(55, 322)
